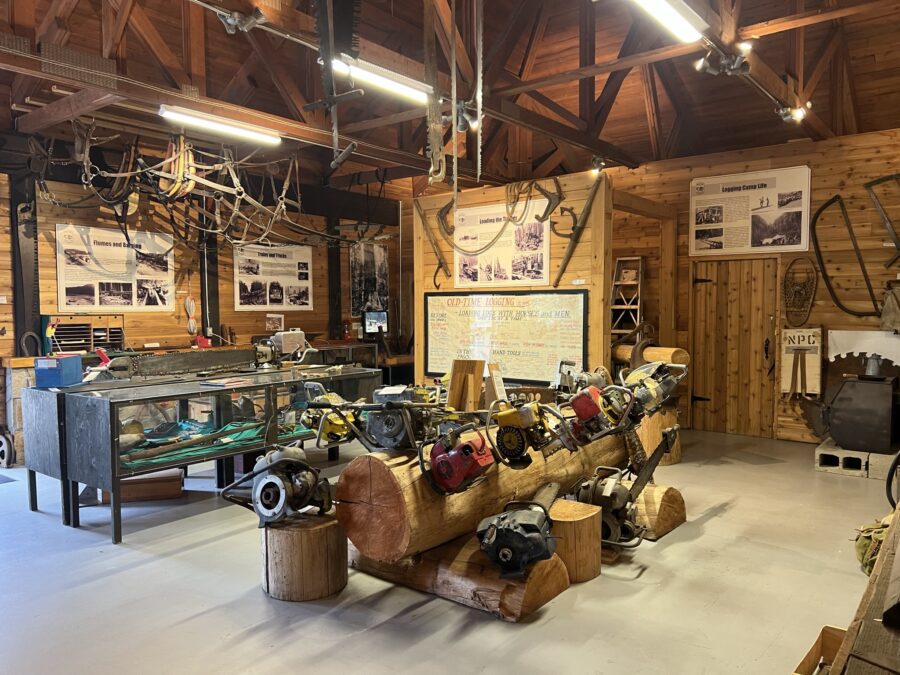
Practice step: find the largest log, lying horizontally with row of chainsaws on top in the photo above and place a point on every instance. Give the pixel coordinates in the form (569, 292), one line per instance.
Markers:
(389, 511)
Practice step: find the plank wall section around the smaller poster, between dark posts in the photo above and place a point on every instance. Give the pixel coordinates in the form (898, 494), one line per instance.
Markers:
(248, 324)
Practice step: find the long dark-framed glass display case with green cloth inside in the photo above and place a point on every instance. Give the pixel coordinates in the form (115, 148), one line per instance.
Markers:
(104, 435)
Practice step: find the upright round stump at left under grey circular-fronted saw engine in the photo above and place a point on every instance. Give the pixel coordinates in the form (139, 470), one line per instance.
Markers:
(304, 558)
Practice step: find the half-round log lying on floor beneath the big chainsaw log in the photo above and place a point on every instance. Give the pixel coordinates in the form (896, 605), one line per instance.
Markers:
(459, 571)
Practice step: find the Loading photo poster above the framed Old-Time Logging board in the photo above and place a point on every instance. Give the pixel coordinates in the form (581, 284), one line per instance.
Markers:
(519, 257)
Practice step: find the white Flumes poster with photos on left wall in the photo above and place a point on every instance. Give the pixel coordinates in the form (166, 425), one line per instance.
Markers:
(98, 270)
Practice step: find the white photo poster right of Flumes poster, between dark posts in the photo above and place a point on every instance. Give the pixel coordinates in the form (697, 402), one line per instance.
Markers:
(272, 277)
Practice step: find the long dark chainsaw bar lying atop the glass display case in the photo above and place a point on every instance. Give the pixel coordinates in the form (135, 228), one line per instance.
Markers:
(181, 363)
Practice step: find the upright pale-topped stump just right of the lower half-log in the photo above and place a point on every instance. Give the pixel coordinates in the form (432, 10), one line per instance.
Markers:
(576, 527)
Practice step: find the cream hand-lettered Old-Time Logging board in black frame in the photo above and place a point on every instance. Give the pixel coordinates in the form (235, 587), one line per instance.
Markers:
(526, 334)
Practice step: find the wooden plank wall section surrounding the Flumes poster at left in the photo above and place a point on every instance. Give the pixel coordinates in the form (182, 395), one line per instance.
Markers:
(168, 329)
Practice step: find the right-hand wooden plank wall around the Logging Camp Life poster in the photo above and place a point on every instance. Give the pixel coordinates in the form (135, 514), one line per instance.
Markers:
(840, 164)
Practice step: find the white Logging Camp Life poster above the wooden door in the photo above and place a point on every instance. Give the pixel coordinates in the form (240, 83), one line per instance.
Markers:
(757, 212)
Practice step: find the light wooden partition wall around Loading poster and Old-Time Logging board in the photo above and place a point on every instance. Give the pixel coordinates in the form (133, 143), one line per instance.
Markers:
(589, 268)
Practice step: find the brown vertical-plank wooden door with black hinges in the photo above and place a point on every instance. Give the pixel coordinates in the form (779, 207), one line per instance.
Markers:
(733, 334)
